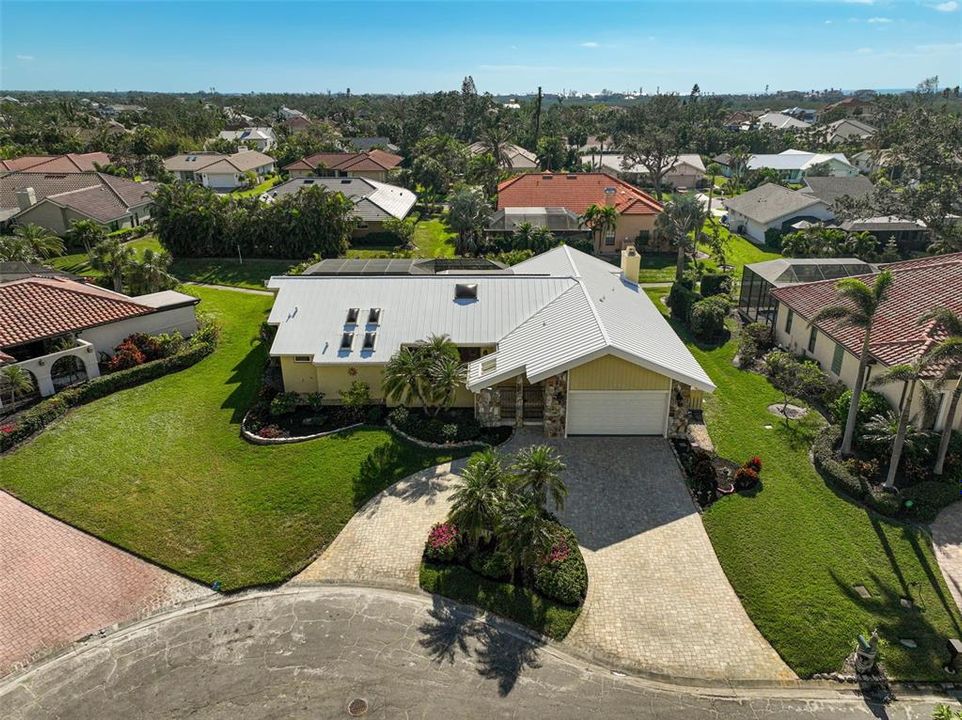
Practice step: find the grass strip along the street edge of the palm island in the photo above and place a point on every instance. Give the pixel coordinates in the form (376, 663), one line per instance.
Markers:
(510, 601)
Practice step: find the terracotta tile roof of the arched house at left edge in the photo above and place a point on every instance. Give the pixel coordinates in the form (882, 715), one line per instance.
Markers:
(37, 308)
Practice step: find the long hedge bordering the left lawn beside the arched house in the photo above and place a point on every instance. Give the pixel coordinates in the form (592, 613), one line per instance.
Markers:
(38, 417)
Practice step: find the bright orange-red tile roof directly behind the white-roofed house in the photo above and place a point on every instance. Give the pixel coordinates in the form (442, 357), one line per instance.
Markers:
(574, 191)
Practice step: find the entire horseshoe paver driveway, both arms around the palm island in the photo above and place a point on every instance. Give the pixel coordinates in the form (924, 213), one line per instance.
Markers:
(658, 601)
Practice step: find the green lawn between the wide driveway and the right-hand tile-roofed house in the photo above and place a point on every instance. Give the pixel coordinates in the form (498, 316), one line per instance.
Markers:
(795, 551)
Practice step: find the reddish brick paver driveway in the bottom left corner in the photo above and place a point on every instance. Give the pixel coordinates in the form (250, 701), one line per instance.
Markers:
(58, 585)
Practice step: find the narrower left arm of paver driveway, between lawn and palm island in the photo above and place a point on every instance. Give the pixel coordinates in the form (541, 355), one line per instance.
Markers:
(382, 544)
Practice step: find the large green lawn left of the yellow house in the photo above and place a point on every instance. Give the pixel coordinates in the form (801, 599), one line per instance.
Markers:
(161, 469)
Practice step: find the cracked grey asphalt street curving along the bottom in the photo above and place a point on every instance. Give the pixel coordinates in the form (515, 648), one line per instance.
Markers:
(307, 653)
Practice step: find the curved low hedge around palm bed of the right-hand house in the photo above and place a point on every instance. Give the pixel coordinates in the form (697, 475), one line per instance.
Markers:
(928, 497)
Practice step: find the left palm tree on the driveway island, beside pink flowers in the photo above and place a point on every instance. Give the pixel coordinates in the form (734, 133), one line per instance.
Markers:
(477, 497)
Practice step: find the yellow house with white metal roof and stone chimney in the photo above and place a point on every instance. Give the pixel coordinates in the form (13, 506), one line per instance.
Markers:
(546, 344)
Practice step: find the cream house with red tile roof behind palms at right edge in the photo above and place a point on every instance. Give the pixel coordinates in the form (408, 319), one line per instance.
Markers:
(918, 286)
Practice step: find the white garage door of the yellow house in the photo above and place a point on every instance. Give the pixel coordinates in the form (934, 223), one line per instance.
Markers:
(617, 412)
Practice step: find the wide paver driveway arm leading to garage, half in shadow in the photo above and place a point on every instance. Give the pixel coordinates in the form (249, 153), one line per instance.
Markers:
(658, 601)
